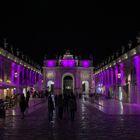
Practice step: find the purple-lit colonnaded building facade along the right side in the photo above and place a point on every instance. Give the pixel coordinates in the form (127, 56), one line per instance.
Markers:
(120, 79)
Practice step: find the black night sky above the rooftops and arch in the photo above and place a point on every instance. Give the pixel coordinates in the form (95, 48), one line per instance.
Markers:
(43, 28)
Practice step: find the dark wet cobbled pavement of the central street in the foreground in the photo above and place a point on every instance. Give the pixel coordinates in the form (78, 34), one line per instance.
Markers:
(90, 124)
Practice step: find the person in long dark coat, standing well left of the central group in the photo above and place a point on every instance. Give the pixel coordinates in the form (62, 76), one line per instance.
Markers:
(22, 104)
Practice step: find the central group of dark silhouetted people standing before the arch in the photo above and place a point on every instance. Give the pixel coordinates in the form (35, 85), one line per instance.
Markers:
(61, 104)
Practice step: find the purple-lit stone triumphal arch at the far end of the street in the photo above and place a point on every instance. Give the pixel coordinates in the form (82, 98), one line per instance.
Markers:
(68, 74)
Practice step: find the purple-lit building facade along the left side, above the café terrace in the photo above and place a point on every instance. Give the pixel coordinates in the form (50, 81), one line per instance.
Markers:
(16, 76)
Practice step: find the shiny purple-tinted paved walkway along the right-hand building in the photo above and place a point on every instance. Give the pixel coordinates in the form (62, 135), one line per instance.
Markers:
(115, 107)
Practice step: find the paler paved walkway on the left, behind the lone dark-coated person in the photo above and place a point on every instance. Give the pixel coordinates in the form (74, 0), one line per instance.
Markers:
(34, 104)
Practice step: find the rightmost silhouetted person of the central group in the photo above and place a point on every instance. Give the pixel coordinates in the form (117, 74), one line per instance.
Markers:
(72, 106)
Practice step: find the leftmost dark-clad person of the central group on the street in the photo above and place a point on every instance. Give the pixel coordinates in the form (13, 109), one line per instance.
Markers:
(50, 107)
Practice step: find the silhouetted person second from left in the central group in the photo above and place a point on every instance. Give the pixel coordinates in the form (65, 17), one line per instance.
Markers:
(60, 106)
